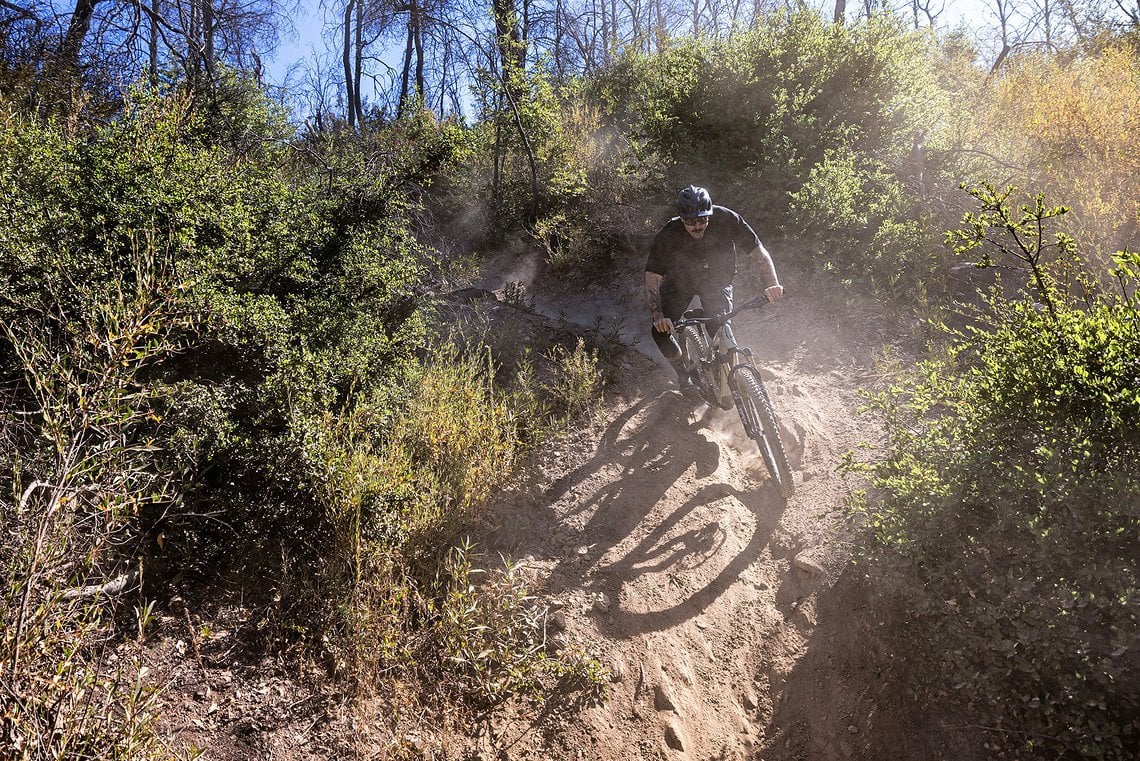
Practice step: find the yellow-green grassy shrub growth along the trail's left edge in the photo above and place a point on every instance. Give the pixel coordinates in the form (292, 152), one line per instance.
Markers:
(408, 602)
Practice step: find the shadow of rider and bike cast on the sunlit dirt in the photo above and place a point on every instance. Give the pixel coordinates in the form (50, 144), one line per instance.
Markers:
(649, 503)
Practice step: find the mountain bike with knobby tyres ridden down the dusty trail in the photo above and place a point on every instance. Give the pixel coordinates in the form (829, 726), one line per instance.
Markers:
(726, 378)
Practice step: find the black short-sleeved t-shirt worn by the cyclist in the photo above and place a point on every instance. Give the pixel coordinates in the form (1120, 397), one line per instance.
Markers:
(711, 261)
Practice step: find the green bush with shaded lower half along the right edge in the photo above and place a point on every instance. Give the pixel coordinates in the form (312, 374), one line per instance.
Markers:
(1007, 517)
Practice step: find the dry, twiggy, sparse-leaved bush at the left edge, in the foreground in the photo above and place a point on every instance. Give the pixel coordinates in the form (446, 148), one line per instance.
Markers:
(88, 484)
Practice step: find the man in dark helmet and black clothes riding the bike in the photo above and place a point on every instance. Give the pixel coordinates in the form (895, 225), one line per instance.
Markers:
(695, 255)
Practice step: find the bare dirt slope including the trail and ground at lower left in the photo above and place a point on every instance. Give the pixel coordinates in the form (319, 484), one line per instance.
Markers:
(734, 624)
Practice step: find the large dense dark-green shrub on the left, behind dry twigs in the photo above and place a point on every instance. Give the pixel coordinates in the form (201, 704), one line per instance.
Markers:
(291, 301)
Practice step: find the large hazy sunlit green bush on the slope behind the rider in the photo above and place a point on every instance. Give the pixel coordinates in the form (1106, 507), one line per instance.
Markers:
(809, 129)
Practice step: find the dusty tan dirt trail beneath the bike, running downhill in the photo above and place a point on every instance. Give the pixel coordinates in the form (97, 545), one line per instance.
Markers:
(727, 617)
